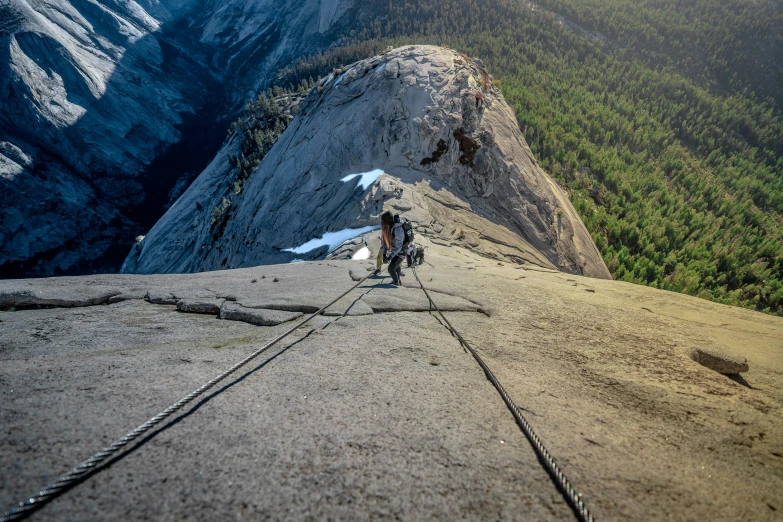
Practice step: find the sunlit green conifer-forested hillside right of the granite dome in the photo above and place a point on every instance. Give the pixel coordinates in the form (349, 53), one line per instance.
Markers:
(662, 119)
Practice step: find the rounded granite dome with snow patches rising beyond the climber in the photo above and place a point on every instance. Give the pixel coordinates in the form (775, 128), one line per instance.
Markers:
(421, 131)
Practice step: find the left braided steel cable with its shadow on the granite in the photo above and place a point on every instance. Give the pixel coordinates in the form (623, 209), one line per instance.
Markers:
(85, 469)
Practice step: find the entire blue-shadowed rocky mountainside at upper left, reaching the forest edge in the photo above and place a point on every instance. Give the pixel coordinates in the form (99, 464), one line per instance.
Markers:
(92, 92)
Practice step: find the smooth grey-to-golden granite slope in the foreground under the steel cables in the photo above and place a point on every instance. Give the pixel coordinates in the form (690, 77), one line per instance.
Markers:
(380, 413)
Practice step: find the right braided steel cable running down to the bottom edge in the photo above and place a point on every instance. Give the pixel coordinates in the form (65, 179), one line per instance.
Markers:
(571, 495)
